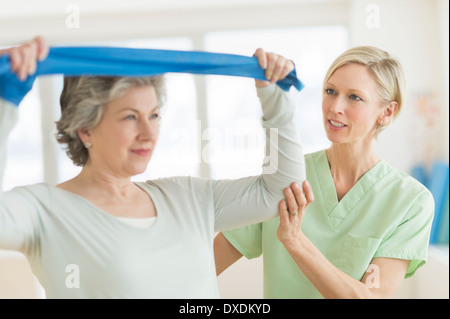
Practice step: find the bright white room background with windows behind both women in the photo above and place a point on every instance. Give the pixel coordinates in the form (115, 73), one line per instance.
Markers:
(209, 114)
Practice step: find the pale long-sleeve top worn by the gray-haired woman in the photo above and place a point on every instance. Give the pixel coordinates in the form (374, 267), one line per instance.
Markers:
(77, 250)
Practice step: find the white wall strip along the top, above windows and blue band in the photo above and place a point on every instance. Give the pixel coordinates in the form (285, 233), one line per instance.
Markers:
(157, 18)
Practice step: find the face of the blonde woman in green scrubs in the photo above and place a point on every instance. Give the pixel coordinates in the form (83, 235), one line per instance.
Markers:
(351, 105)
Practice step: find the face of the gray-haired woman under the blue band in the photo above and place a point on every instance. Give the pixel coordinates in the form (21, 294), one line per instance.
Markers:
(124, 139)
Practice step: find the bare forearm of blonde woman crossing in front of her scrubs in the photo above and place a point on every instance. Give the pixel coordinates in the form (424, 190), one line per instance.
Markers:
(330, 281)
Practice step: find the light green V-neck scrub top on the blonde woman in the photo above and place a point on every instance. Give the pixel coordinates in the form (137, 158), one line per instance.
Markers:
(387, 213)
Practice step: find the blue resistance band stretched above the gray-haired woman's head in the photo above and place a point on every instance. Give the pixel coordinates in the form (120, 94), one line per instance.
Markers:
(115, 61)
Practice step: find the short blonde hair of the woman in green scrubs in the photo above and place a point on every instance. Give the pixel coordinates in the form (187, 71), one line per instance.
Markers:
(386, 70)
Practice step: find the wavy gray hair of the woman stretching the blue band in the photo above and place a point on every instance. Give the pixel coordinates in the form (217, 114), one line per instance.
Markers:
(82, 103)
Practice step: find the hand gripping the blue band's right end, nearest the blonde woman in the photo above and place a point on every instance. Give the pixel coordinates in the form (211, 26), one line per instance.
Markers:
(276, 67)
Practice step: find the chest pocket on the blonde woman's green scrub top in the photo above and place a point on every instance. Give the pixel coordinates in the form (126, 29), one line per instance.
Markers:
(355, 255)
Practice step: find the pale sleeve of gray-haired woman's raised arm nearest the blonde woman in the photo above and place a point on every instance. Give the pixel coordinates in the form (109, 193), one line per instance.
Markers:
(255, 199)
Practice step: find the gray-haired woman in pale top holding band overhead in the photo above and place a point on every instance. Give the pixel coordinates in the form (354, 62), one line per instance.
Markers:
(101, 235)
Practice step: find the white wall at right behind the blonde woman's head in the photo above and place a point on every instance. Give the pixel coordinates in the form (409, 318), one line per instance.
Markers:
(413, 31)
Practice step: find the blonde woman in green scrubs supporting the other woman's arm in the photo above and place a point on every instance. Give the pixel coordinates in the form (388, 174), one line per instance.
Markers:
(369, 224)
